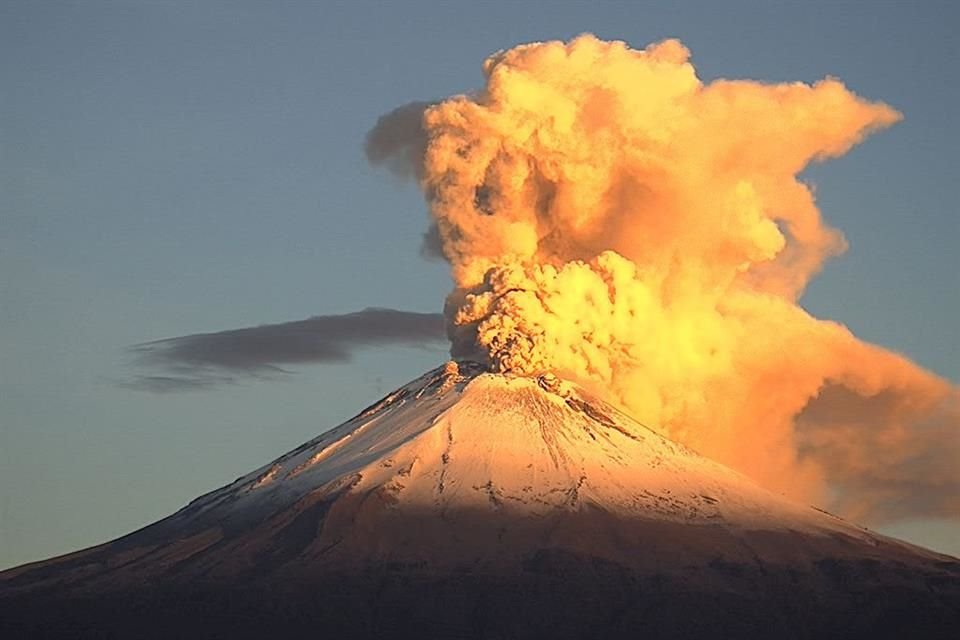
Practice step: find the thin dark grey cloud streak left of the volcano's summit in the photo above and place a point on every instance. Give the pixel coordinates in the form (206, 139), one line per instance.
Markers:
(206, 360)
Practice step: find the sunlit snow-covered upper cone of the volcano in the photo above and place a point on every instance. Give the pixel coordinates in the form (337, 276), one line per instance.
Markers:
(465, 440)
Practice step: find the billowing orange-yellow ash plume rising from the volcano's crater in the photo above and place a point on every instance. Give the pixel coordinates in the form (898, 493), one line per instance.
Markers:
(610, 218)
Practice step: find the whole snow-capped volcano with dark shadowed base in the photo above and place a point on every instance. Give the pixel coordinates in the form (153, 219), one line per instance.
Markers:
(480, 505)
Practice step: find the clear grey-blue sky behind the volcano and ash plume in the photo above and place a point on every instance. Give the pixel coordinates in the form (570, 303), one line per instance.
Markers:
(175, 168)
